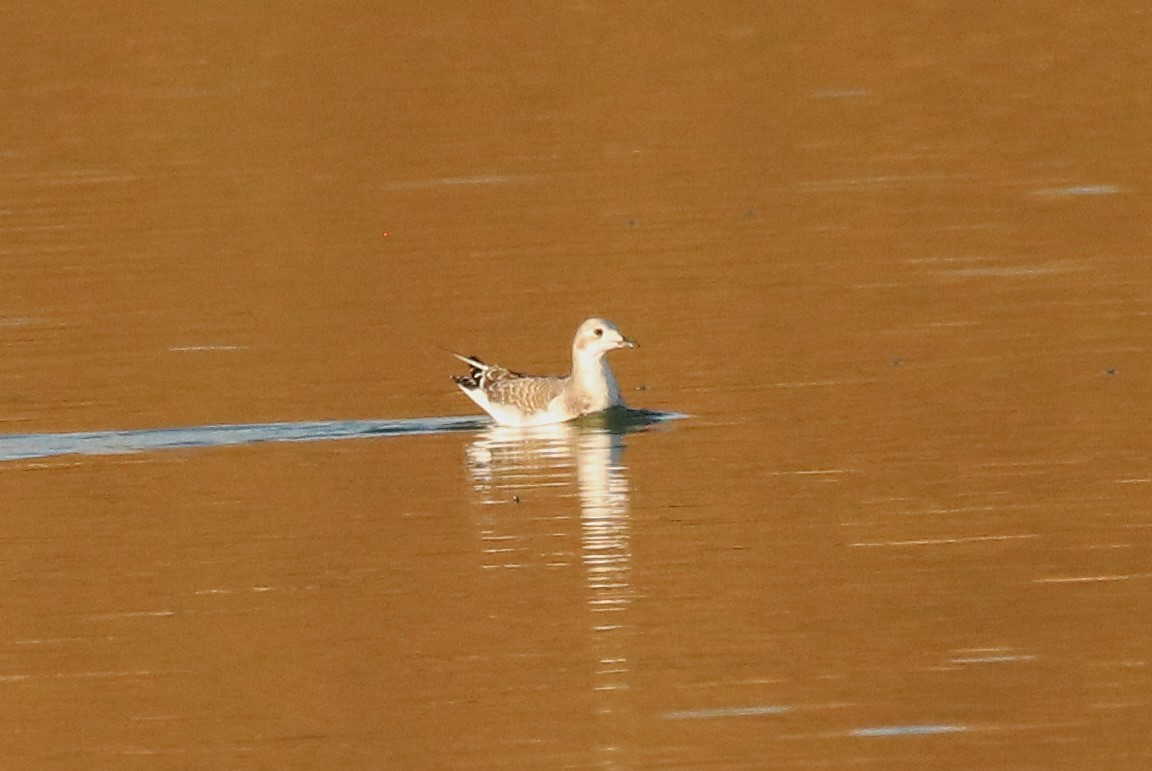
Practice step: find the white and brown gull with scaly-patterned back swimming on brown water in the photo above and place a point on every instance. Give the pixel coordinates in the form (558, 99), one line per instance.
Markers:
(524, 400)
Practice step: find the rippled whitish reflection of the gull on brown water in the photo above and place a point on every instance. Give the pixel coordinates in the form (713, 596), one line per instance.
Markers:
(510, 466)
